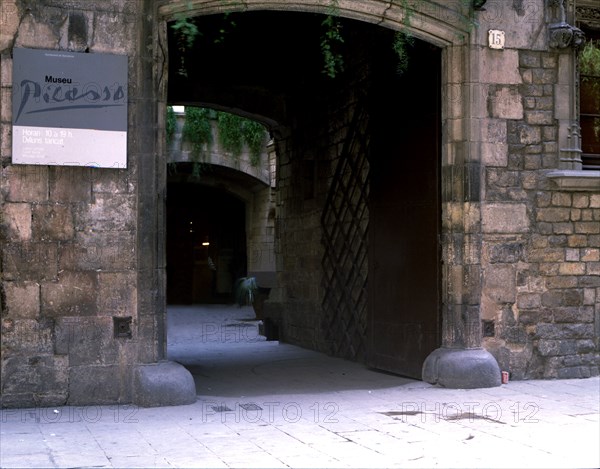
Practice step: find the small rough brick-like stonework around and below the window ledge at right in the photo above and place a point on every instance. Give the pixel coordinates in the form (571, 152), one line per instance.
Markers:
(542, 283)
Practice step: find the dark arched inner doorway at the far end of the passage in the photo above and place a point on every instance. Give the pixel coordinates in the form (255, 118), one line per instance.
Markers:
(206, 244)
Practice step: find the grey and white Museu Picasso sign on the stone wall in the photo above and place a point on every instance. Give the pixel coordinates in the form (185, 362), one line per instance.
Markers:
(69, 108)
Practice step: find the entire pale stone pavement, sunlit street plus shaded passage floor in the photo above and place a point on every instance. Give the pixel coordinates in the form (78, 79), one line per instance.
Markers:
(265, 404)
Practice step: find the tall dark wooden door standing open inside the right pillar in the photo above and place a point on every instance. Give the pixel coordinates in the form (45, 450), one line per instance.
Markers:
(404, 208)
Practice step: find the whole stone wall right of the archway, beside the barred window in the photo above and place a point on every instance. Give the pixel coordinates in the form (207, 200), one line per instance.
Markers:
(540, 302)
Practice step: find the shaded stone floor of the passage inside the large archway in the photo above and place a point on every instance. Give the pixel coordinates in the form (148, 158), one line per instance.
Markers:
(223, 350)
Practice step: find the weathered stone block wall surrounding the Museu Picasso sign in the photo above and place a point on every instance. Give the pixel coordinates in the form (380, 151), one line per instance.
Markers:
(69, 234)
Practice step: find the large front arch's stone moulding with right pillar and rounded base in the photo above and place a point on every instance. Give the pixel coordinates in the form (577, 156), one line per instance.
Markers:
(445, 26)
